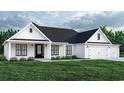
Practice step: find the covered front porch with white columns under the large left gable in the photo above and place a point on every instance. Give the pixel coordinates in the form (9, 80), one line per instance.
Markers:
(26, 49)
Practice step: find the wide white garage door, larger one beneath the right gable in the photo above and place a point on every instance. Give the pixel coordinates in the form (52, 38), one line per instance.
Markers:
(98, 52)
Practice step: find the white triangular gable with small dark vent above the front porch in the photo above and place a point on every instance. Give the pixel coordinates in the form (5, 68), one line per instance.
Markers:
(25, 34)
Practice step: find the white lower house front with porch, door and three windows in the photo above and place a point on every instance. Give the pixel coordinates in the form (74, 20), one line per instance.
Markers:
(38, 49)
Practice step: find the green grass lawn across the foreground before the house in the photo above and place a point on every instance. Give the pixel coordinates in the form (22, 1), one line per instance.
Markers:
(64, 71)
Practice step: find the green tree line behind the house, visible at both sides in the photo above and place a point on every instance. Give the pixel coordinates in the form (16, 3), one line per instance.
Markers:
(116, 37)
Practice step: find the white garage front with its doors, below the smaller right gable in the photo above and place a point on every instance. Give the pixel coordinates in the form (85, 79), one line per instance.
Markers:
(102, 51)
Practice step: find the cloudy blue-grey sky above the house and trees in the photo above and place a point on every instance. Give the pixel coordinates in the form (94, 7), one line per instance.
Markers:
(79, 20)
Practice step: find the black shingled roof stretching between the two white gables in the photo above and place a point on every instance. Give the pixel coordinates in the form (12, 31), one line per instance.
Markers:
(66, 35)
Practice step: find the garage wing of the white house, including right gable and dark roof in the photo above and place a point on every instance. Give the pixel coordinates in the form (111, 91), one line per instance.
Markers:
(94, 44)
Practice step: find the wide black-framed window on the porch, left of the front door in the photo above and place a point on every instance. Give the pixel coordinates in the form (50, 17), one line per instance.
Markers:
(21, 50)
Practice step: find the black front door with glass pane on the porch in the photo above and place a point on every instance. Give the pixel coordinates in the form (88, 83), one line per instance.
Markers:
(39, 51)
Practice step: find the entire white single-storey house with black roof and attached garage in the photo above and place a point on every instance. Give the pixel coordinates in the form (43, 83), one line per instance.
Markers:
(47, 42)
